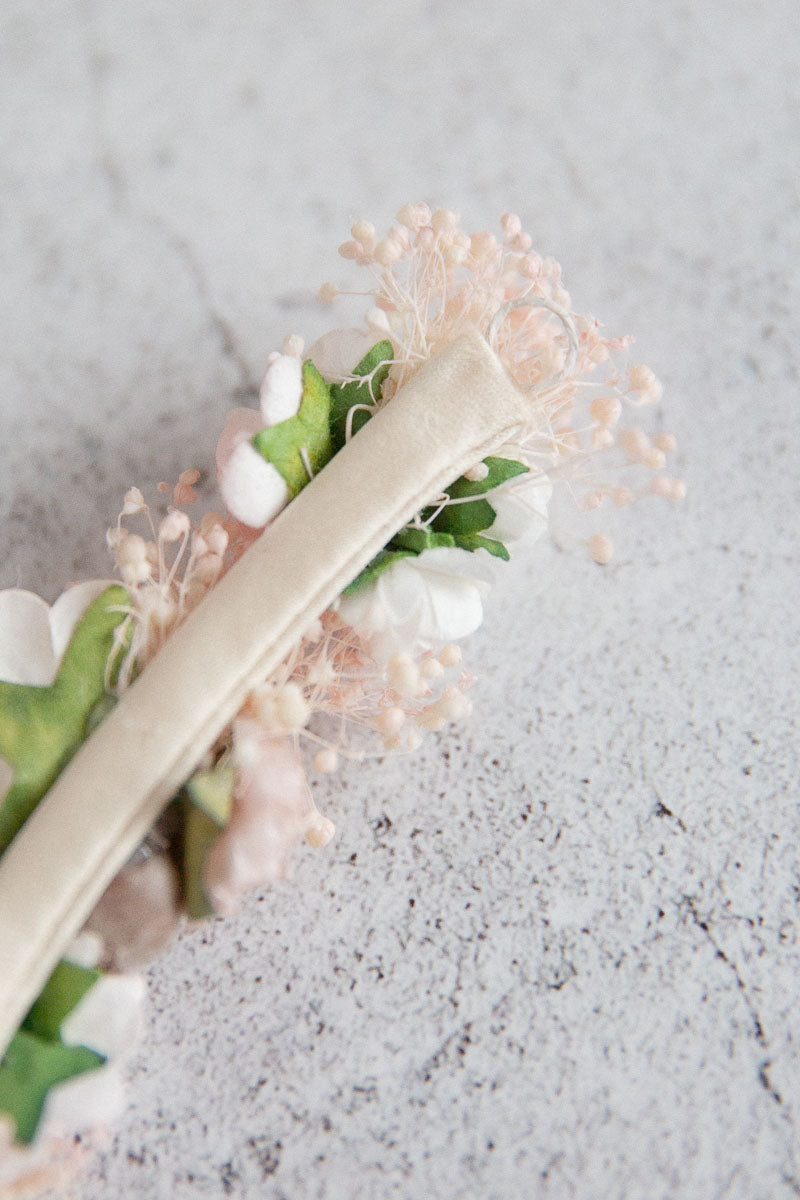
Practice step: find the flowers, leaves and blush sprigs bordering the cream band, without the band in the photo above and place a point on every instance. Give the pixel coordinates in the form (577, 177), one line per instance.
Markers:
(375, 671)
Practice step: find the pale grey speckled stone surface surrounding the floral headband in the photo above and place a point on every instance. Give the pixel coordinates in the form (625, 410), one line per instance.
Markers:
(555, 955)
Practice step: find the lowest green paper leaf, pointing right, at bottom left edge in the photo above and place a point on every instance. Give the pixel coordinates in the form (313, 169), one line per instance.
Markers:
(31, 1069)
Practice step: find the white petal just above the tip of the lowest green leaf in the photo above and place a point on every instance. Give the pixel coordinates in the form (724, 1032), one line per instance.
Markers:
(109, 1019)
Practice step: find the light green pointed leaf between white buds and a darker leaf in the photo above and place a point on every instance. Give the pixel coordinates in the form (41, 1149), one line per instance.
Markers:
(309, 431)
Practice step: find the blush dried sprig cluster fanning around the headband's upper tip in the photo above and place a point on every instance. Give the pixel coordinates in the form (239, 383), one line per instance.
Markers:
(431, 280)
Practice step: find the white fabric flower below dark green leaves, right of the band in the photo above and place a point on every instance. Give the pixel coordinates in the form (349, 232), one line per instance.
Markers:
(419, 604)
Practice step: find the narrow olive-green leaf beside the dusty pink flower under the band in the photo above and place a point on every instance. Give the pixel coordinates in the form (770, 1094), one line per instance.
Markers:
(207, 811)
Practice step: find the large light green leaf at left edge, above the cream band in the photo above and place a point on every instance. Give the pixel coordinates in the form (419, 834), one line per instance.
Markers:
(43, 728)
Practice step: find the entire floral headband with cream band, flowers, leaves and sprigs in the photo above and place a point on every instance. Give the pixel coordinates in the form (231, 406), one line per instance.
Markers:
(371, 501)
